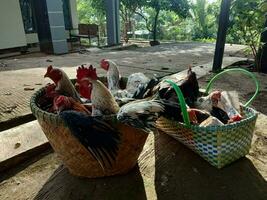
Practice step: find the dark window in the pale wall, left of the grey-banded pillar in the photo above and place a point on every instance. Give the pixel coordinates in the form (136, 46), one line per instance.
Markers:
(28, 16)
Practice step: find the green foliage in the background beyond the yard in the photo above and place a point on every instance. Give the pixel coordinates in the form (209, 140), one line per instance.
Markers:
(182, 19)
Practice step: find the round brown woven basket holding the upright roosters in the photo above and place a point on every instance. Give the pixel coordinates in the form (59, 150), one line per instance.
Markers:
(76, 157)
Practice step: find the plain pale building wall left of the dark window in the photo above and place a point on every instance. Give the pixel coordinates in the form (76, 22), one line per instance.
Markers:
(11, 26)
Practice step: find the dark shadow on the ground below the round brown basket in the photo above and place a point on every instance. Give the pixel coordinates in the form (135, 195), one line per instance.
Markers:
(62, 185)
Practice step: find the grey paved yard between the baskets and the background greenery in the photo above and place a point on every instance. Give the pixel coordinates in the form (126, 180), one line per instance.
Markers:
(174, 56)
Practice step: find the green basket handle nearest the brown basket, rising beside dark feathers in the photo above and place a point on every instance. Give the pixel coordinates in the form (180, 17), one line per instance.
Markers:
(182, 102)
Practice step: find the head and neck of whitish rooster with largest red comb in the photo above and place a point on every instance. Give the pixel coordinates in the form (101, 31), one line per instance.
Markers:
(103, 102)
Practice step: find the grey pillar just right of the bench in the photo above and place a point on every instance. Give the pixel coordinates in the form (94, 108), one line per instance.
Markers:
(113, 22)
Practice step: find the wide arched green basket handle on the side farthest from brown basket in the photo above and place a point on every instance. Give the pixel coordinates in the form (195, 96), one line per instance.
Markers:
(236, 70)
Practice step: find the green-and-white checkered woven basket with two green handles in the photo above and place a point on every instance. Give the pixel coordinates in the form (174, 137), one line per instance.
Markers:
(219, 145)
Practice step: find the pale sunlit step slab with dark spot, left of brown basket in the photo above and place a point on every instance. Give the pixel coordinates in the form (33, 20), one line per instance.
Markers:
(20, 143)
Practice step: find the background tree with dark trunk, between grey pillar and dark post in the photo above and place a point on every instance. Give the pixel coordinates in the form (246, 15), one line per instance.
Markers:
(179, 7)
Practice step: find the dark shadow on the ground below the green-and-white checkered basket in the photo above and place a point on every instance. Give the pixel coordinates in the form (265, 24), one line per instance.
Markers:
(182, 174)
